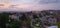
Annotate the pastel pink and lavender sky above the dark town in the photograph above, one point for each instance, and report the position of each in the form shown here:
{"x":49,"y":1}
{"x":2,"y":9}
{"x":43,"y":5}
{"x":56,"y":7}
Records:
{"x":28,"y":5}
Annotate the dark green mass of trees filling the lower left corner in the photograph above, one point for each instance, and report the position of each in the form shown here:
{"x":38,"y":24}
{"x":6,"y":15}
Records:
{"x":4,"y":19}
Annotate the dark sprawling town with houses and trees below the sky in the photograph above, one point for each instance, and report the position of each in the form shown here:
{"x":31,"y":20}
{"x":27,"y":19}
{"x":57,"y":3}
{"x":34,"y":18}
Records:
{"x":32,"y":19}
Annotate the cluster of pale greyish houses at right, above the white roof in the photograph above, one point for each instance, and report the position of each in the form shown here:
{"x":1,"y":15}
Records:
{"x":48,"y":20}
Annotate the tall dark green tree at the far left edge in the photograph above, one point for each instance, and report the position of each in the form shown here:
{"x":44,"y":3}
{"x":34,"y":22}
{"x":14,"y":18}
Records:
{"x":3,"y":20}
